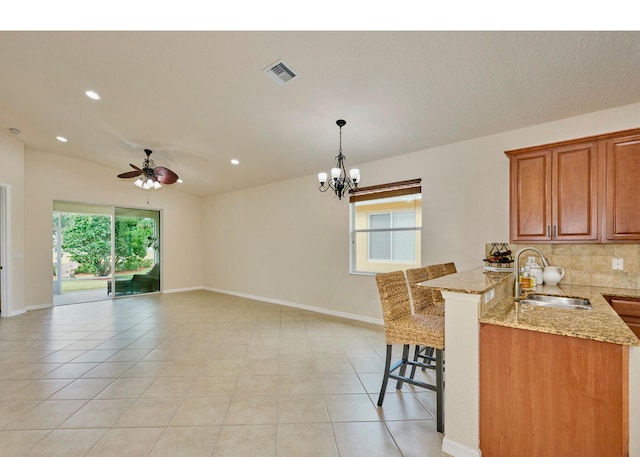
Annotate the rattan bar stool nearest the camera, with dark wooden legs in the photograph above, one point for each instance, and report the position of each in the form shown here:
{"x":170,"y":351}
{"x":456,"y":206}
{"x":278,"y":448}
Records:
{"x":401,"y":327}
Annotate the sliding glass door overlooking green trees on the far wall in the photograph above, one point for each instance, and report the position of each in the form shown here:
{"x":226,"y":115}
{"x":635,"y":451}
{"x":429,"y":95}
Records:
{"x":102,"y":252}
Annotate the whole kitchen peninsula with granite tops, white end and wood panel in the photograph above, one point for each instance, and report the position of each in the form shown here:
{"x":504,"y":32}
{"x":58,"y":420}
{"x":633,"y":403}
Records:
{"x":508,"y":363}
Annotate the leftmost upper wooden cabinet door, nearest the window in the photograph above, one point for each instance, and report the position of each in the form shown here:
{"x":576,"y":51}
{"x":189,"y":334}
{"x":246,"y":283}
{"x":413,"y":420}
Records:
{"x":530,"y":203}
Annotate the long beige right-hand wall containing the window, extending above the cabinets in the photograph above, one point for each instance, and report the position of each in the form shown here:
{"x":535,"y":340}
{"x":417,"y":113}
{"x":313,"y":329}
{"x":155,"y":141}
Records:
{"x":287,"y":242}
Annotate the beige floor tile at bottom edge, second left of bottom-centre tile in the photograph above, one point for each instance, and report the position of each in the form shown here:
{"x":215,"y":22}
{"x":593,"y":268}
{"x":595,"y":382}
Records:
{"x":186,"y":442}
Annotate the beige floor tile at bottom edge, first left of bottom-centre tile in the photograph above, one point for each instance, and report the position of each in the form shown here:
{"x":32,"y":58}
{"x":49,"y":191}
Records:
{"x":246,"y":441}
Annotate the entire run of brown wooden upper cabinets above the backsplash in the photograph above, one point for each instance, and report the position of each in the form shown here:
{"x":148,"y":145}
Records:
{"x":578,"y":191}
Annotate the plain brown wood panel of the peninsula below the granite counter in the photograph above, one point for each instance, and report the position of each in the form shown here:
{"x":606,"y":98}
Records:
{"x":551,"y":395}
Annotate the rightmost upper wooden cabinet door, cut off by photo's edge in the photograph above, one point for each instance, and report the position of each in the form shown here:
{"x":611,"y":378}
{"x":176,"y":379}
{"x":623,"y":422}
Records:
{"x":623,"y":188}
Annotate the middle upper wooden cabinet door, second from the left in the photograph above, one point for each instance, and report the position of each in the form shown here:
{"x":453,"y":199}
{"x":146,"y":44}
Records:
{"x":575,"y":192}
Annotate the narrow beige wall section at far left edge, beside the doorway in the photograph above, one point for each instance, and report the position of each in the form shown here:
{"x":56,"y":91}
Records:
{"x":12,"y":180}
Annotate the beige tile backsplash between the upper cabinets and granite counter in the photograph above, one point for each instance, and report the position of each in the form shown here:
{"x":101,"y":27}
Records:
{"x":590,"y":264}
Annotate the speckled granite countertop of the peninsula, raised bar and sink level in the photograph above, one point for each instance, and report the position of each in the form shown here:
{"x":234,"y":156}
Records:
{"x":601,"y":323}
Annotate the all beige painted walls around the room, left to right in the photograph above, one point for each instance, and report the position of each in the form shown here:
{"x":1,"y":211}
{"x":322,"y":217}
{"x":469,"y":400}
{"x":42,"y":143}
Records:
{"x":284,"y":242}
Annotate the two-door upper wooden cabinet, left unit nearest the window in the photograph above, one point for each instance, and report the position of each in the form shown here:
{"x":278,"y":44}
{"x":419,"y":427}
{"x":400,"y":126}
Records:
{"x":554,"y":194}
